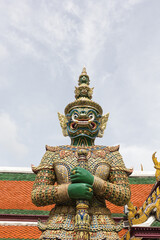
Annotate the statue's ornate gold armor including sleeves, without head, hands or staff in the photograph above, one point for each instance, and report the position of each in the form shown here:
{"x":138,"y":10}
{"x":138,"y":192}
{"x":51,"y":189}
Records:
{"x":110,"y":182}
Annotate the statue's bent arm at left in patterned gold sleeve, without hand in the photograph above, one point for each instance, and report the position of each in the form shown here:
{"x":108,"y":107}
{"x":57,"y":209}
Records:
{"x":44,"y":191}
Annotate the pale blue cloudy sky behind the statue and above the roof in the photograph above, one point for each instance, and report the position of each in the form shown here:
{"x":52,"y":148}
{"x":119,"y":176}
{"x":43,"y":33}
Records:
{"x":44,"y":45}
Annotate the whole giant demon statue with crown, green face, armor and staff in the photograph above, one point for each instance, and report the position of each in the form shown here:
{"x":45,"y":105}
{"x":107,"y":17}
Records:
{"x":78,"y":178}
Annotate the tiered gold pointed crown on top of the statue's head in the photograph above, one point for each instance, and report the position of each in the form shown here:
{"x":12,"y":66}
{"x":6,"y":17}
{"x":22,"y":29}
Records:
{"x":83,"y":95}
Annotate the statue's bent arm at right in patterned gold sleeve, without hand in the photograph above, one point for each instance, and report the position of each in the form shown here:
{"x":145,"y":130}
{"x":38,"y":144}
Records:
{"x":116,"y":189}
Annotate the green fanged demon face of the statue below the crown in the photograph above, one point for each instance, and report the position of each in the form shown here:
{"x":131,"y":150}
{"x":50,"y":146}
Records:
{"x":83,"y":122}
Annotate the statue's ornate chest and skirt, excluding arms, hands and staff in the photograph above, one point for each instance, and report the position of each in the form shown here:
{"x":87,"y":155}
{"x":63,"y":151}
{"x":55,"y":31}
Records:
{"x":63,"y":159}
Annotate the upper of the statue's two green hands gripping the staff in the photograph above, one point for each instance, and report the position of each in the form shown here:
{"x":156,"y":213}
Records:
{"x":81,"y":175}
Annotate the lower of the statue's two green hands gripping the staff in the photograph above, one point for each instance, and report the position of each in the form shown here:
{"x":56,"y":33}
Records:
{"x":81,"y":191}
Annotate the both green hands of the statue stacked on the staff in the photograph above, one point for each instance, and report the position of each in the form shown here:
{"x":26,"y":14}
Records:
{"x":81,"y":187}
